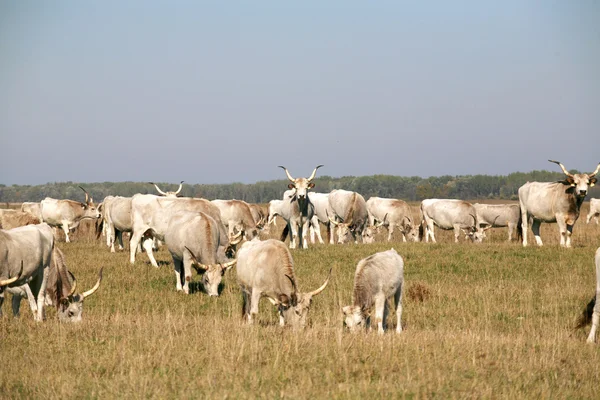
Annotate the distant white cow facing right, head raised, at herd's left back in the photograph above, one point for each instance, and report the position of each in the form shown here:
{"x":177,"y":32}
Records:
{"x":67,"y":214}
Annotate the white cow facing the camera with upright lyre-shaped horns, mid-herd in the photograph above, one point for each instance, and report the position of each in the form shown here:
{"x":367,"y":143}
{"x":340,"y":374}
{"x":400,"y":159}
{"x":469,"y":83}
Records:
{"x":301,"y":210}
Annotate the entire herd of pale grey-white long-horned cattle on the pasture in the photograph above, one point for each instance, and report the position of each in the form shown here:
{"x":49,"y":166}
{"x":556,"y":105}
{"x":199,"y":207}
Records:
{"x":204,"y":235}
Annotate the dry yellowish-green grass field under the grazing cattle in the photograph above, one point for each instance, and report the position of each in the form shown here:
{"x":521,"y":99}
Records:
{"x":492,"y":320}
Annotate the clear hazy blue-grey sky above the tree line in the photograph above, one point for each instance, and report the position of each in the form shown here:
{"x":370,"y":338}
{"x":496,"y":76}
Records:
{"x":221,"y":92}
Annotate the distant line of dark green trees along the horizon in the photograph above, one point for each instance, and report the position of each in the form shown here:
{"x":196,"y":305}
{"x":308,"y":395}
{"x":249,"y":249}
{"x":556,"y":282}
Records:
{"x":468,"y":187}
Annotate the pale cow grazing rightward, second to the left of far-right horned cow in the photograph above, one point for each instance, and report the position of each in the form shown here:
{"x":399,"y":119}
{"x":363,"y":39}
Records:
{"x":450,"y":214}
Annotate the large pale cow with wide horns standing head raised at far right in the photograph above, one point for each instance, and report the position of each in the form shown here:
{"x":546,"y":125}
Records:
{"x":558,"y":202}
